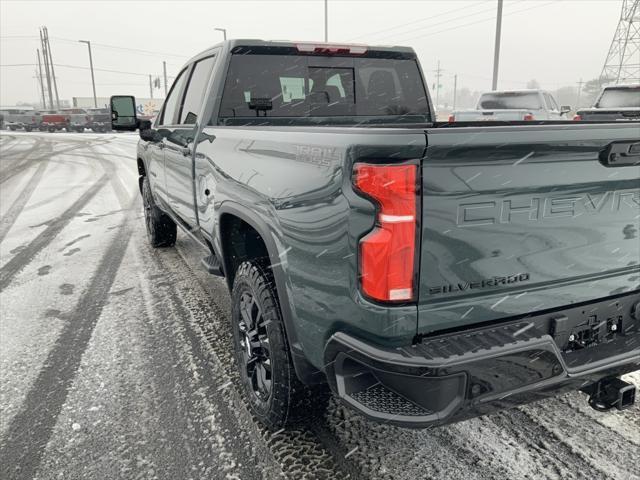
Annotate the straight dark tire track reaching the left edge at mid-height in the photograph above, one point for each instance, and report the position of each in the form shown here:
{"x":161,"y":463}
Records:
{"x":54,"y":227}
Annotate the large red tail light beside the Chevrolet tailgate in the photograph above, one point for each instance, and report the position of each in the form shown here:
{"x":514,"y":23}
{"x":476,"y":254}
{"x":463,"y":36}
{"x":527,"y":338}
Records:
{"x":387,"y":253}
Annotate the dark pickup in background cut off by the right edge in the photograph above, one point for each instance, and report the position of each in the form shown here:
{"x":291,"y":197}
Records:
{"x":615,"y":103}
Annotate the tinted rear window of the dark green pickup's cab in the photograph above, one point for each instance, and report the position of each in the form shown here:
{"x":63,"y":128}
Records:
{"x":304,"y":87}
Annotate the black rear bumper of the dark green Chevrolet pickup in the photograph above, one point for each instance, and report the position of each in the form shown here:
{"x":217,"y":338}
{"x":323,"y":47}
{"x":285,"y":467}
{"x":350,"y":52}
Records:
{"x":460,"y":375}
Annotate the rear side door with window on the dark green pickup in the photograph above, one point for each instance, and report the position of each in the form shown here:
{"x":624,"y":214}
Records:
{"x":179,"y":143}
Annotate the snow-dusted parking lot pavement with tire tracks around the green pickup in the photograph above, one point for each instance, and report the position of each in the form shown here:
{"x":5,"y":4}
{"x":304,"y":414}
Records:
{"x":116,"y":358}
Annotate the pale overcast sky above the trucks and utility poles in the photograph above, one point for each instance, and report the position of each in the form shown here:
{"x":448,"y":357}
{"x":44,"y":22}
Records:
{"x":556,"y":42}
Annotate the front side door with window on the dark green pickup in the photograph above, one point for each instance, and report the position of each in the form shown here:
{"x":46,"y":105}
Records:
{"x":155,"y":149}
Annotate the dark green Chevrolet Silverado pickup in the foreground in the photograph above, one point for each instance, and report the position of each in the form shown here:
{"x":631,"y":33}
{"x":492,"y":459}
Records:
{"x":427,"y":272}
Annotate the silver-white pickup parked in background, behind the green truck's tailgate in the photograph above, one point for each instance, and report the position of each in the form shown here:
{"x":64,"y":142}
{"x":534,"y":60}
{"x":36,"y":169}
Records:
{"x":517,"y":105}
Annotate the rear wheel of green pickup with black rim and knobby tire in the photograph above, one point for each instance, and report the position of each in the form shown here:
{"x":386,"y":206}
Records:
{"x":269,"y":382}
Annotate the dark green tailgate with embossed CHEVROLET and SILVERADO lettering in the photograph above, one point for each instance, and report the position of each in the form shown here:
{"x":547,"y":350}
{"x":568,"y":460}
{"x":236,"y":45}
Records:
{"x":518,"y":220}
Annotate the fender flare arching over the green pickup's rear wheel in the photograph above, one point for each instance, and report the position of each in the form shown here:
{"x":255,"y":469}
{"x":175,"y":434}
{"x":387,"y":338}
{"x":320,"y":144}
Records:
{"x":306,"y":372}
